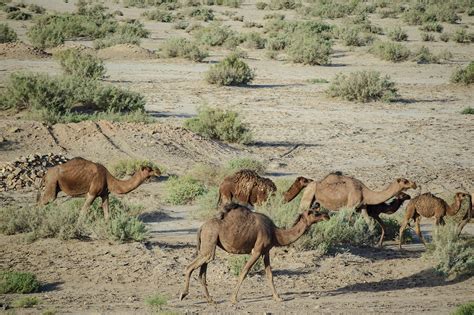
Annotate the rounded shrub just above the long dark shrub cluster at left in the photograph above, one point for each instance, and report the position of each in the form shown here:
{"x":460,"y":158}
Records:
{"x":80,"y":64}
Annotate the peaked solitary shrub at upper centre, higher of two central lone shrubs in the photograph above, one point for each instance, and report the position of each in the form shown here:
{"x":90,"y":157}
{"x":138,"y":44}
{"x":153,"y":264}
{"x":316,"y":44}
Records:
{"x":230,"y":71}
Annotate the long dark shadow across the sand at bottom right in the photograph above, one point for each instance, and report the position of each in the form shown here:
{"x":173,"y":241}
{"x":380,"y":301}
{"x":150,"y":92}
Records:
{"x":427,"y":278}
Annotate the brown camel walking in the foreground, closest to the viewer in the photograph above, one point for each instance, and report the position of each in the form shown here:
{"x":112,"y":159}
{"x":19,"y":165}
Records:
{"x":242,"y":231}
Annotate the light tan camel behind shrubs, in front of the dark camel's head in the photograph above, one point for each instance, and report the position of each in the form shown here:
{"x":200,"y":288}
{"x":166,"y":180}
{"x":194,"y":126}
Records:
{"x":336,"y":191}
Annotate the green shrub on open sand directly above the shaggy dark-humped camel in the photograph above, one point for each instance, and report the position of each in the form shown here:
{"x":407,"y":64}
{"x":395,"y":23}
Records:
{"x":219,"y":124}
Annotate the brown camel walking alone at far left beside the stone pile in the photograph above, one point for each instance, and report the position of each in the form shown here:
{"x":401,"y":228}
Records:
{"x":79,"y":177}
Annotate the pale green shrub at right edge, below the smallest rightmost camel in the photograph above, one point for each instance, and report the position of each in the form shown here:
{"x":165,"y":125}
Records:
{"x":452,"y":255}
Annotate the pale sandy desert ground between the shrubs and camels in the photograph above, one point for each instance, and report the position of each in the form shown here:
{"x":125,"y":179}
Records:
{"x":298,"y":131}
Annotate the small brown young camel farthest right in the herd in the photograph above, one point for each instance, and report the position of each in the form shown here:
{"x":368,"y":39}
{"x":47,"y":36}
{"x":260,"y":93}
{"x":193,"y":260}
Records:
{"x":427,"y":205}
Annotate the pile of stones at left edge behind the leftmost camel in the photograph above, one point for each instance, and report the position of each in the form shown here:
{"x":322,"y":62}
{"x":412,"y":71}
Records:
{"x":27,"y":171}
